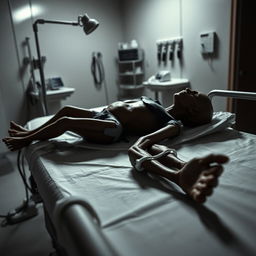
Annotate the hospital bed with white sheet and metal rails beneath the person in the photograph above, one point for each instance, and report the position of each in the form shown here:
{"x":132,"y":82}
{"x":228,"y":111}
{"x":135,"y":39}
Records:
{"x":96,"y":204}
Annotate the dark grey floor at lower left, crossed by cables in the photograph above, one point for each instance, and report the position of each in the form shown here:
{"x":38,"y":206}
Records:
{"x":26,"y":238}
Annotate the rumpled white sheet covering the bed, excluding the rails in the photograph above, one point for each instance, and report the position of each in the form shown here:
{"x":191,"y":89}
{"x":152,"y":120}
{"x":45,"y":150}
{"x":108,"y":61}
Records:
{"x":143,"y":215}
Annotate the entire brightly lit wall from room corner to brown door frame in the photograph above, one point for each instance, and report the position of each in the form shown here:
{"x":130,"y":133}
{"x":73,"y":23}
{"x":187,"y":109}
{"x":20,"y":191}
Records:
{"x":150,"y":20}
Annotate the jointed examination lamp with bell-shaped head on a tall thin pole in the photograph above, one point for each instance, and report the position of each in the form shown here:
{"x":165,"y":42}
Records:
{"x":88,"y":24}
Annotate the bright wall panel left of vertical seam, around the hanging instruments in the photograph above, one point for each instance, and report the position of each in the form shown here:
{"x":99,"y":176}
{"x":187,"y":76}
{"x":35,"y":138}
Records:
{"x":150,"y":20}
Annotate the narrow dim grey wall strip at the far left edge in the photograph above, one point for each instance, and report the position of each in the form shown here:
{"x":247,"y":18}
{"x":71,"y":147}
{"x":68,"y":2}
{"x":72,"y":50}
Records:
{"x":12,"y":101}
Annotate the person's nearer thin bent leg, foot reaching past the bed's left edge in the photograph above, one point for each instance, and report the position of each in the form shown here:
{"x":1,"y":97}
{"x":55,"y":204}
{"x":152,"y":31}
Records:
{"x":92,"y":129}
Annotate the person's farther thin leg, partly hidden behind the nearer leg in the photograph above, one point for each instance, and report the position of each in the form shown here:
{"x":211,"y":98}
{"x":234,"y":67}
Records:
{"x":67,"y":111}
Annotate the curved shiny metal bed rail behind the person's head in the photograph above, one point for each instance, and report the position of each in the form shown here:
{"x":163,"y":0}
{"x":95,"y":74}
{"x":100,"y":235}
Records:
{"x":232,"y":94}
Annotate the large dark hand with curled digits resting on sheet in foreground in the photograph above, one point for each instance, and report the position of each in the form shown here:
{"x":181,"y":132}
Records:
{"x":199,"y":176}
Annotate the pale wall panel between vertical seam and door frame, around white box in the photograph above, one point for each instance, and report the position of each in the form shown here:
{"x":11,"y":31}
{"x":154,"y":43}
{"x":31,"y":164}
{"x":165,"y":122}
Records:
{"x":202,"y":16}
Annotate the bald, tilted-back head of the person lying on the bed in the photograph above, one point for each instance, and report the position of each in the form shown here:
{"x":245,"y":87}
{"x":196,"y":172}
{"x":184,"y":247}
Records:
{"x":192,"y":108}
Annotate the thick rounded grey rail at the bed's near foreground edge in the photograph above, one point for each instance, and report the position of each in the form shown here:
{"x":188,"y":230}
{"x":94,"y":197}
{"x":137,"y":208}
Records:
{"x":79,"y":230}
